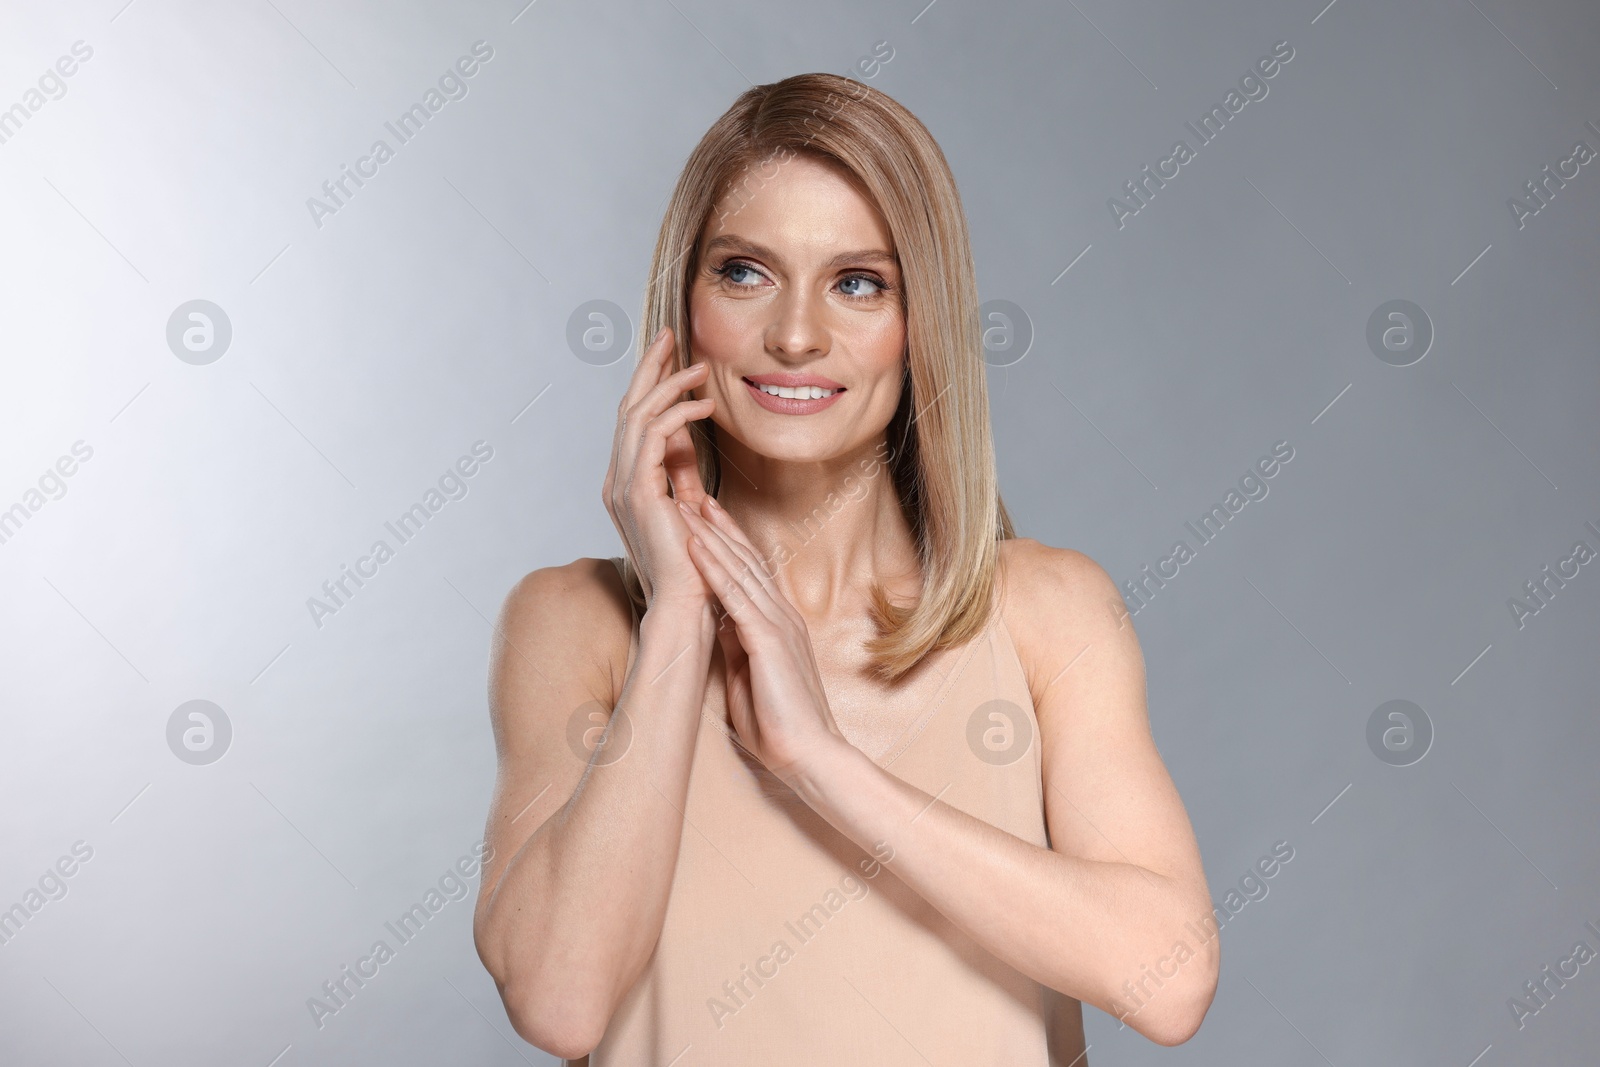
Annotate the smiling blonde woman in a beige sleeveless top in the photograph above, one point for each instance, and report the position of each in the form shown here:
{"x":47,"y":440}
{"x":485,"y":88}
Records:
{"x":879,"y":786}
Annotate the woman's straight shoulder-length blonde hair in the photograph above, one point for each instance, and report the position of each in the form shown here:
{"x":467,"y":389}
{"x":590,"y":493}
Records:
{"x":942,"y":452}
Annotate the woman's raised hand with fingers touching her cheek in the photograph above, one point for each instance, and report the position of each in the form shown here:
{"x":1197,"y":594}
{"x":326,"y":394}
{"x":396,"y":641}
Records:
{"x":652,"y":452}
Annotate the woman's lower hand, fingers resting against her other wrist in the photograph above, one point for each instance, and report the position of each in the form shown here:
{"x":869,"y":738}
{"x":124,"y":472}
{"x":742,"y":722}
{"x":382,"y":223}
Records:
{"x":775,"y":693}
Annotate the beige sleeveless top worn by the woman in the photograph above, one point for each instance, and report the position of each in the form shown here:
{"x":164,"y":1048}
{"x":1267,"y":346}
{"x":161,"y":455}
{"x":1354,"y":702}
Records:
{"x":785,"y":943}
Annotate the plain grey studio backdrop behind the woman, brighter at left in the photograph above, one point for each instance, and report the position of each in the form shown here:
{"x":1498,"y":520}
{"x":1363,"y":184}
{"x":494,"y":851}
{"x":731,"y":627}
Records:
{"x":372,"y":351}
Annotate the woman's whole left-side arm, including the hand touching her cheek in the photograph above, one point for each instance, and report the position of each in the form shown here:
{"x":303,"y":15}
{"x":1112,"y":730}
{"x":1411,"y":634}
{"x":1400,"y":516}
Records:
{"x":585,"y":847}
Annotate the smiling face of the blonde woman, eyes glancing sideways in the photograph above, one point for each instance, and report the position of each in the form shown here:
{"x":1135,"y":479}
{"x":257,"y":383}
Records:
{"x":799,"y":290}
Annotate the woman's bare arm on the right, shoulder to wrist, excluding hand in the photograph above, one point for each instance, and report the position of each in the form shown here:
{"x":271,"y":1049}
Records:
{"x":1105,"y":906}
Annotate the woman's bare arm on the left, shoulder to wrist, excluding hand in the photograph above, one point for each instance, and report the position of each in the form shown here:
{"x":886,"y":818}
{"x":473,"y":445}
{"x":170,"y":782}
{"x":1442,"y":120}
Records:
{"x":583,"y":852}
